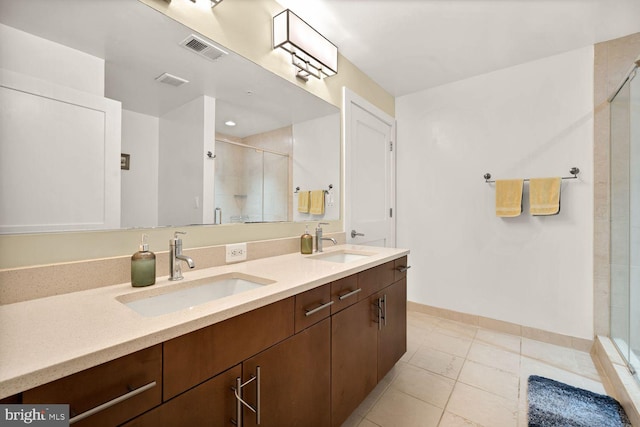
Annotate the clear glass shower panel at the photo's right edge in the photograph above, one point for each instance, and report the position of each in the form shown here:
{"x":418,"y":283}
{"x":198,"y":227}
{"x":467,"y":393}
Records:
{"x":625,"y":219}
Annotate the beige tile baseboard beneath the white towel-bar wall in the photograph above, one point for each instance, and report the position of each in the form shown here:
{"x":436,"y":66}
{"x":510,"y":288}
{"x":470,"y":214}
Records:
{"x":505,"y":327}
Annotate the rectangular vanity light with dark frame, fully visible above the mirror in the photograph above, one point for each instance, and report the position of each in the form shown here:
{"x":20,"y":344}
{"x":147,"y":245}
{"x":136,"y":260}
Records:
{"x":311,"y":53}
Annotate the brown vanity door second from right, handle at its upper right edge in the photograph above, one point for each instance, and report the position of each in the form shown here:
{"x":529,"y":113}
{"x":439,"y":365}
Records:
{"x":354,"y":336}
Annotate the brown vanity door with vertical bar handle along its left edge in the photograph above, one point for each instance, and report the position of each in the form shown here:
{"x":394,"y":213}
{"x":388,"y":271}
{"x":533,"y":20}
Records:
{"x":294,"y":381}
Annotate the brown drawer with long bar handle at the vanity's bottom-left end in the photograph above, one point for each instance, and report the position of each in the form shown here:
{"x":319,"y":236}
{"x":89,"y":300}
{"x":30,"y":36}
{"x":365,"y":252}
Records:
{"x":96,"y":386}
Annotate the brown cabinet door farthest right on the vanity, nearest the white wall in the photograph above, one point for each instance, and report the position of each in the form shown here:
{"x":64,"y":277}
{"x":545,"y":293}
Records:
{"x":392,"y":337}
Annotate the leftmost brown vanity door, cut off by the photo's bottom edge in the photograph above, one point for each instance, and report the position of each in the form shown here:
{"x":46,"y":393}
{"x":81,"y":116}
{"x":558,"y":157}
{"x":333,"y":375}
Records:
{"x":210,"y":404}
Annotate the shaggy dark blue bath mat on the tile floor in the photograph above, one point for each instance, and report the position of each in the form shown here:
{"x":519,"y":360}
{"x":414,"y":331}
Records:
{"x":555,"y":404}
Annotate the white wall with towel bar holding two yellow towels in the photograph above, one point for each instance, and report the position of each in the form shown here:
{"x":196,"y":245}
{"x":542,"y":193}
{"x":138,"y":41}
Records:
{"x":532,"y":120}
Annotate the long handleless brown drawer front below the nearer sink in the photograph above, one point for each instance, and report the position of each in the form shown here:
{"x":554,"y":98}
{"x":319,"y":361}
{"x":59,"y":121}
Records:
{"x":195,"y":357}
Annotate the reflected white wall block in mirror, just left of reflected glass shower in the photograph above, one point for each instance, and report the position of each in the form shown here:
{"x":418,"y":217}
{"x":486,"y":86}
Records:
{"x":186,"y":134}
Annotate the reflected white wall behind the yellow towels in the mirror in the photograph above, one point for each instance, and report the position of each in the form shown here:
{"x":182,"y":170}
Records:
{"x":315,"y":165}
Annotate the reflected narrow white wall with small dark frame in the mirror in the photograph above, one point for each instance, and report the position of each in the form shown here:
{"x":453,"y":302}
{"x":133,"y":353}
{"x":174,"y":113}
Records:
{"x":140,"y":139}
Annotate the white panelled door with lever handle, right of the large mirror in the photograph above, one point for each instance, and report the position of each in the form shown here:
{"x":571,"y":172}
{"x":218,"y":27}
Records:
{"x":370,"y":173}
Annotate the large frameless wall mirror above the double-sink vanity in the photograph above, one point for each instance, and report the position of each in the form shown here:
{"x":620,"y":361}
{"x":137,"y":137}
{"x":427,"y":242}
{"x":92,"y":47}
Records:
{"x":161,"y":154}
